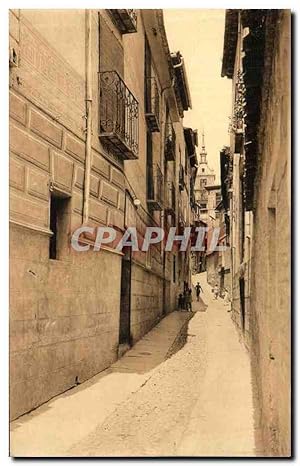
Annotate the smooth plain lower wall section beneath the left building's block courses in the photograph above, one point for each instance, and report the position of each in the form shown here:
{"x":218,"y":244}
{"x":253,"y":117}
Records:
{"x":63,"y":328}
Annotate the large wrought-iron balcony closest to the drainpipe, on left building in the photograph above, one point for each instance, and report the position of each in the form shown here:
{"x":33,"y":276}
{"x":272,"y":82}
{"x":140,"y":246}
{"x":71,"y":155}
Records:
{"x":119,"y":113}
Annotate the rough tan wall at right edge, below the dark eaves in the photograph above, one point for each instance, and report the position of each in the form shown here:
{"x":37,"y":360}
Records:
{"x":270,"y":324}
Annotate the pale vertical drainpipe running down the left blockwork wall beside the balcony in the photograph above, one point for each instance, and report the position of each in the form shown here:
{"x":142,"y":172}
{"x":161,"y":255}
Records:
{"x":88,"y":103}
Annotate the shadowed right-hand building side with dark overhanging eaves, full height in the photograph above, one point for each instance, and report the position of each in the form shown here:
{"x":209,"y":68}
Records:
{"x":257,"y":59}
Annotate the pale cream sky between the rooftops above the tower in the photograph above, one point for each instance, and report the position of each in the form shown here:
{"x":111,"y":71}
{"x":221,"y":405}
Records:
{"x":198,"y":35}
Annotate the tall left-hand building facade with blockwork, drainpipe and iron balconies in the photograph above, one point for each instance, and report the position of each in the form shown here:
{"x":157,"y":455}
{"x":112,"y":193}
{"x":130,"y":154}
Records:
{"x":96,"y":138}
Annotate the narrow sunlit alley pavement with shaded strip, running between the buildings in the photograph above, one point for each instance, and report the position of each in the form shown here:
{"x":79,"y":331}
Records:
{"x":186,"y":391}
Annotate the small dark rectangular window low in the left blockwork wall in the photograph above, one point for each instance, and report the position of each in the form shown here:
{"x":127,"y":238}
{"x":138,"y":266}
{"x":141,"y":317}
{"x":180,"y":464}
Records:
{"x":58,"y":225}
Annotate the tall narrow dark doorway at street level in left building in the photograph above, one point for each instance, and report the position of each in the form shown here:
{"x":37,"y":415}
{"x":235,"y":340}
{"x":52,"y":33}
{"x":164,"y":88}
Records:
{"x":124,"y":330}
